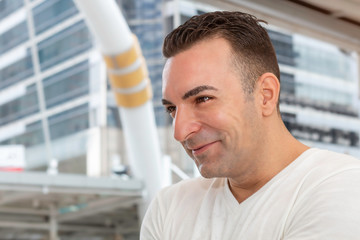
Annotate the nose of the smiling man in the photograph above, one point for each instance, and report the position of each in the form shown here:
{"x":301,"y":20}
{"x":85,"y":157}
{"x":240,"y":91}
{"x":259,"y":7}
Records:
{"x":185,"y":124}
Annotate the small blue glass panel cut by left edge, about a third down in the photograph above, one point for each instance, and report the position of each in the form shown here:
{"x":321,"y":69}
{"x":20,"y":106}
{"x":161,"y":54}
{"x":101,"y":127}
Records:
{"x":16,"y":72}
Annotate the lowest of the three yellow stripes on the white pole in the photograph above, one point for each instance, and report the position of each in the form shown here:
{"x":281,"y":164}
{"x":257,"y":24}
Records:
{"x":134,"y":99}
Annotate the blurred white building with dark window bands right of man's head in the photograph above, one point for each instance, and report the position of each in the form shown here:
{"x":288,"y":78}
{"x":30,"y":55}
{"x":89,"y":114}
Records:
{"x":319,"y":98}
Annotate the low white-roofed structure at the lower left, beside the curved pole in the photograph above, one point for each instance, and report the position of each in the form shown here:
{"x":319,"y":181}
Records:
{"x":34,"y":205}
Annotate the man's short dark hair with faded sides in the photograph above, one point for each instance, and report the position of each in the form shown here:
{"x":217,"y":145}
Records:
{"x":253,"y":51}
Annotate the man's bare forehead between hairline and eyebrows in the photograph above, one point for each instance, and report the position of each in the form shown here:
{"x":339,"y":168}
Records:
{"x":206,"y":63}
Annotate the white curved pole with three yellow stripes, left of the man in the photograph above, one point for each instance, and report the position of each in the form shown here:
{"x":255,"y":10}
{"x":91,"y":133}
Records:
{"x":131,"y":86}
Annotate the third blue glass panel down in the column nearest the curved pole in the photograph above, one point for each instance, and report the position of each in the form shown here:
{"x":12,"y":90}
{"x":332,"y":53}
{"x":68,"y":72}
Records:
{"x":67,"y":85}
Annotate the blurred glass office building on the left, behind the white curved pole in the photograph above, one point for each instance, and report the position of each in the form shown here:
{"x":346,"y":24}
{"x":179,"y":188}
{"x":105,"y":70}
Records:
{"x":54,"y":95}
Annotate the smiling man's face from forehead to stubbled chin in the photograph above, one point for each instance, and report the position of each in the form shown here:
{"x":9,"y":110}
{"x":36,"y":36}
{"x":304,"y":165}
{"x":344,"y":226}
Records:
{"x":215,"y":121}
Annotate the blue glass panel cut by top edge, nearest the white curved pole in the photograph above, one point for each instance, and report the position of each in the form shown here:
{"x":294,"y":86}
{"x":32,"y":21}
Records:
{"x":52,"y":12}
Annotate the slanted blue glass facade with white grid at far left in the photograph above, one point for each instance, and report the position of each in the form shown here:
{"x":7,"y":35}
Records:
{"x":38,"y":43}
